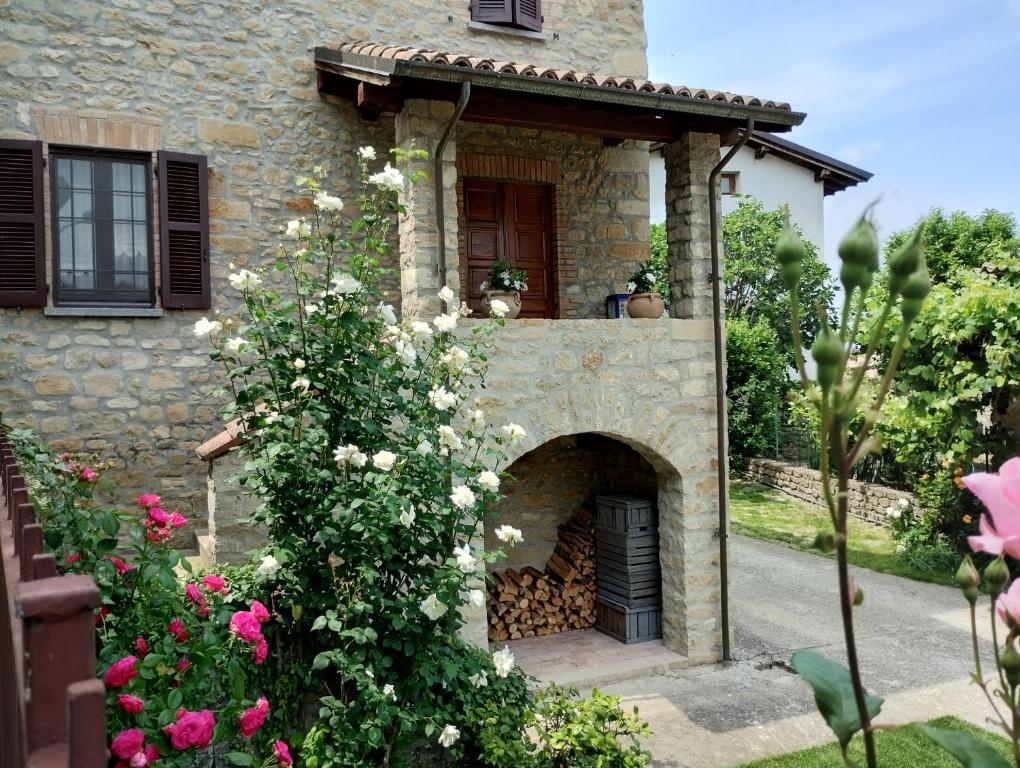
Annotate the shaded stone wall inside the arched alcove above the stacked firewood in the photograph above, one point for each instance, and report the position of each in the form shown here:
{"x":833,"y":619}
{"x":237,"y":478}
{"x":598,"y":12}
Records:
{"x":547,"y":486}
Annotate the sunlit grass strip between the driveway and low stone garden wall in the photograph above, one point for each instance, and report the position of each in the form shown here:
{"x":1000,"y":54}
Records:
{"x":762,"y":513}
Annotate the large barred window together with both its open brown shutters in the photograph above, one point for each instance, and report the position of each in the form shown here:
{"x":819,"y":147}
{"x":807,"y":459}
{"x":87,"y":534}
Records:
{"x":103,"y":246}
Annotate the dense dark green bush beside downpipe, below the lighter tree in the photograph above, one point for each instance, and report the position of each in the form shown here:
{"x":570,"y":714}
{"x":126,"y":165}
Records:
{"x":756,"y":383}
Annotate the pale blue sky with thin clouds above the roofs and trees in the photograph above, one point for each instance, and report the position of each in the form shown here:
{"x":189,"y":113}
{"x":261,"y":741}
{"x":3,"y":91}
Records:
{"x":924,"y":94}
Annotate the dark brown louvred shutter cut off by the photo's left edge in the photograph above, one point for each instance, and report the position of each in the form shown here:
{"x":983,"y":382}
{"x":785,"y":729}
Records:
{"x":23,"y":261}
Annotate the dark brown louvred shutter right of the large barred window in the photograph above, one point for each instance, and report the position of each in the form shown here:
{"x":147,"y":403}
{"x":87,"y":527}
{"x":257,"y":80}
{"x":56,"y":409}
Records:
{"x":184,"y":231}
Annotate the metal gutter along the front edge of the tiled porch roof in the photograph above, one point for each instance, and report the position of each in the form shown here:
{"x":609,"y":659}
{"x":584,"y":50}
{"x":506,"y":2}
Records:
{"x":359,"y":65}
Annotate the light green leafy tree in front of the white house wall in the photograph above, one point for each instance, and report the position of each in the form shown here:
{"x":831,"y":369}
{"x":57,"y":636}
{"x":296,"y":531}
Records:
{"x":755,"y":289}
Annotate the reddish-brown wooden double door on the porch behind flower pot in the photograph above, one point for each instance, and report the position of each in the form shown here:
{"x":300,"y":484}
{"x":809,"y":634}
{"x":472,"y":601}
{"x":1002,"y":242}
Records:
{"x":514,"y":222}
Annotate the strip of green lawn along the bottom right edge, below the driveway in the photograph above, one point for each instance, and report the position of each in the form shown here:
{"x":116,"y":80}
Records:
{"x":903,"y":748}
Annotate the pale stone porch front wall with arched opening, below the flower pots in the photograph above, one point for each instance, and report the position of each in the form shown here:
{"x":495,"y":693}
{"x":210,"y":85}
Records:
{"x":648,"y":385}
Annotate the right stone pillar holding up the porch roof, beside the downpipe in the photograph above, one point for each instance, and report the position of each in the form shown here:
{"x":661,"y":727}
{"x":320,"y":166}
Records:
{"x":689,"y":162}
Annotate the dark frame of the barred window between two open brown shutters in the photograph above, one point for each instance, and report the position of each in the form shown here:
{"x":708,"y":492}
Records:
{"x":86,"y":153}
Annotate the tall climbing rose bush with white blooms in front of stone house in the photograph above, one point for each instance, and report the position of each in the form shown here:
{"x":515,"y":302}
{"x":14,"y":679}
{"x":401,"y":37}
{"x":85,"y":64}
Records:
{"x":375,"y":470}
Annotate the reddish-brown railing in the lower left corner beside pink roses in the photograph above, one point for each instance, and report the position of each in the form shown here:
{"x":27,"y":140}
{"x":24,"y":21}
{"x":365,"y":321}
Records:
{"x":53,"y":707}
